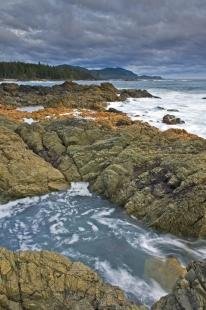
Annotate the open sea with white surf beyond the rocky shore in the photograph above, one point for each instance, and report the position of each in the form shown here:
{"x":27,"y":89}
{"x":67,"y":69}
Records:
{"x":184,"y":96}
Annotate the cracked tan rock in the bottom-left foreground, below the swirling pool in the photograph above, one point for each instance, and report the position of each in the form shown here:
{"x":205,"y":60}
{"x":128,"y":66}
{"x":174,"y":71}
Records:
{"x":45,"y":280}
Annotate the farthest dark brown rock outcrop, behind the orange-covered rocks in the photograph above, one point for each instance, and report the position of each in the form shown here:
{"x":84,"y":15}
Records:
{"x":68,"y":94}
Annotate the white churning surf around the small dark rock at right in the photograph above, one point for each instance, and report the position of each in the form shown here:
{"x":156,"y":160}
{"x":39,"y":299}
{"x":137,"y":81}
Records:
{"x":191,"y":109}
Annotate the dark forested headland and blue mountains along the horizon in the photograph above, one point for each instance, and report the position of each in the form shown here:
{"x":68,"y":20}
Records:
{"x":29,"y":71}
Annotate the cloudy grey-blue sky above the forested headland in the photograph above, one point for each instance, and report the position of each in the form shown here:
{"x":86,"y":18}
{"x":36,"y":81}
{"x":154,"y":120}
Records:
{"x":161,"y":37}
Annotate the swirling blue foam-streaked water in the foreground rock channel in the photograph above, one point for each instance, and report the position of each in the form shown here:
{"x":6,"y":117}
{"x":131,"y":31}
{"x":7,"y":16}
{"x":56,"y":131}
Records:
{"x":87,"y":228}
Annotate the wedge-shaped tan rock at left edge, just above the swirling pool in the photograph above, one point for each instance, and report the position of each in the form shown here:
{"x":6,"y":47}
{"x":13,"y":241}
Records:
{"x":23,"y":173}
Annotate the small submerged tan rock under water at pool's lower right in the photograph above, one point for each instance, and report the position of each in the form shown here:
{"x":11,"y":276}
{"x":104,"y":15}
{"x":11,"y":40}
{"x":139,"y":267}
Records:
{"x":165,"y":272}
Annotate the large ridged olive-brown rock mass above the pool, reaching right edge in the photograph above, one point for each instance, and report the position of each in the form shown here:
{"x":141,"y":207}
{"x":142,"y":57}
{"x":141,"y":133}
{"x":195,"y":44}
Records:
{"x":159,"y":177}
